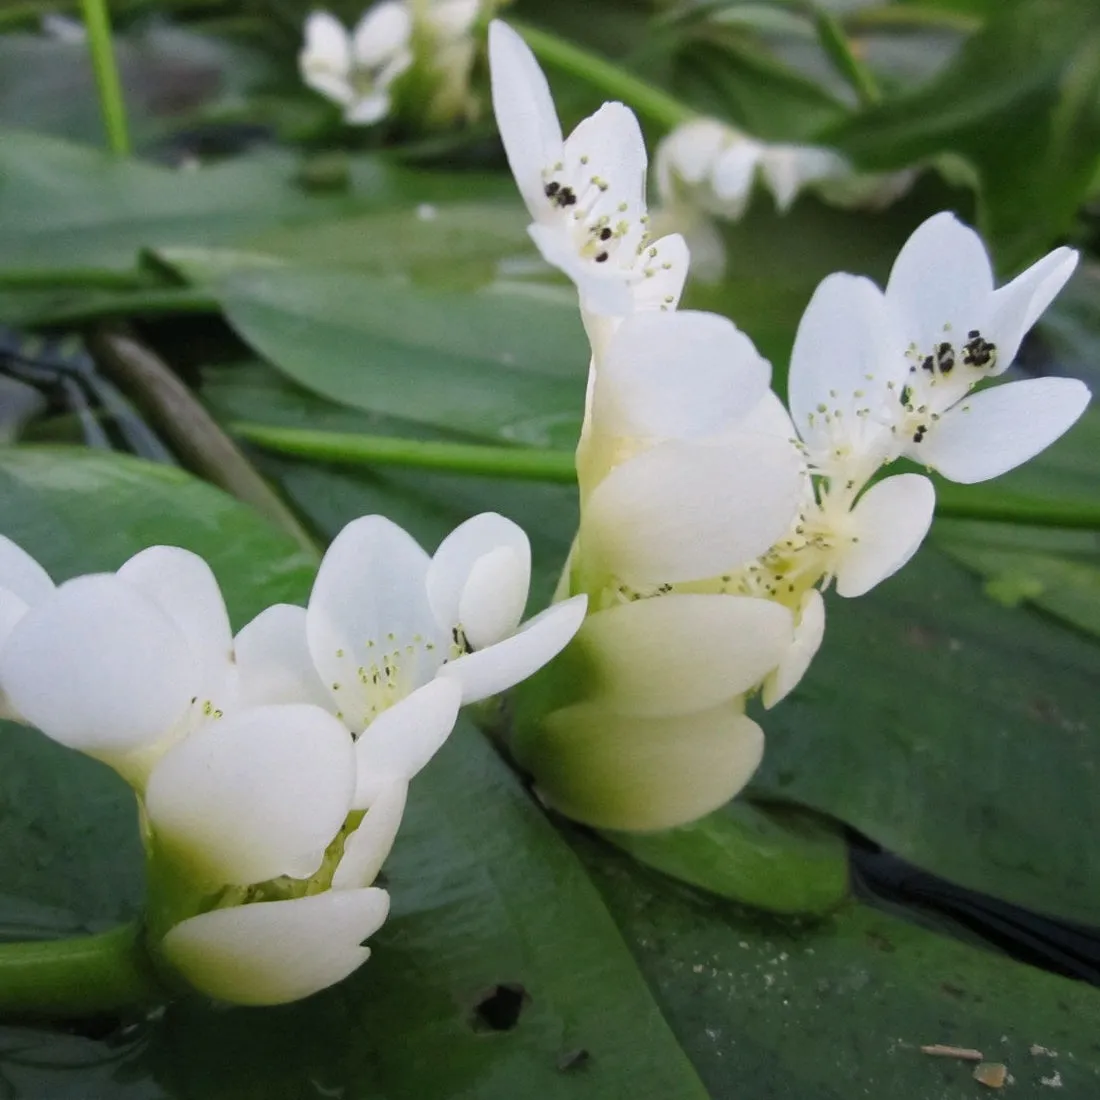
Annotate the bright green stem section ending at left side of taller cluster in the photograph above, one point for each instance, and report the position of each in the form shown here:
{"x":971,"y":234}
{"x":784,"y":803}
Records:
{"x":520,"y":463}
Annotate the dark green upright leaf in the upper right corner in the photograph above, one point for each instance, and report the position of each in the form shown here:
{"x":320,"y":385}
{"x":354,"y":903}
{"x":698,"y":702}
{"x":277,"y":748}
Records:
{"x":1021,"y":104}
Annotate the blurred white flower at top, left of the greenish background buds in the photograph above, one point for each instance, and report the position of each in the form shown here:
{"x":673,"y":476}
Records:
{"x":357,"y":70}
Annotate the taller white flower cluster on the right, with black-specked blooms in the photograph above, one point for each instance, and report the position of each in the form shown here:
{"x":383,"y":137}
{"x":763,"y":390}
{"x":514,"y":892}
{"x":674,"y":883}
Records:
{"x":712,"y":518}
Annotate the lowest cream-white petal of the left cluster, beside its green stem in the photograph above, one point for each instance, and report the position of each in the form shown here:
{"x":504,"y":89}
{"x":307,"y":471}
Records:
{"x":276,"y":952}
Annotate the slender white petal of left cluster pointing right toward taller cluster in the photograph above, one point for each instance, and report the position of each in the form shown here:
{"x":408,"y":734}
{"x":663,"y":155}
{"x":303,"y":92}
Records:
{"x":500,"y":667}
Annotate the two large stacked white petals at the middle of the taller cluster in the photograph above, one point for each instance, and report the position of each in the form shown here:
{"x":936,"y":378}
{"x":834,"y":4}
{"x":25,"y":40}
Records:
{"x":672,"y":490}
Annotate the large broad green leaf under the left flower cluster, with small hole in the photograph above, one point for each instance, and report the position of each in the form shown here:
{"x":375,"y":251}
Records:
{"x":487,"y":896}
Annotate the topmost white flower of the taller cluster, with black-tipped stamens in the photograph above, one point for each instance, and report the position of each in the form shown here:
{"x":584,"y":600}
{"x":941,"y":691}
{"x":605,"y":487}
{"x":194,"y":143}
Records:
{"x":586,"y":194}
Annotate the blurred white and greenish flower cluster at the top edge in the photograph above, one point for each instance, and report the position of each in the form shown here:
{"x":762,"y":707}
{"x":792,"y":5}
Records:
{"x":358,"y":71}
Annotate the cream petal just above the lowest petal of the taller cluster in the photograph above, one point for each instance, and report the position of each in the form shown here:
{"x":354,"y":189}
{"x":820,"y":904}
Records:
{"x":681,"y":654}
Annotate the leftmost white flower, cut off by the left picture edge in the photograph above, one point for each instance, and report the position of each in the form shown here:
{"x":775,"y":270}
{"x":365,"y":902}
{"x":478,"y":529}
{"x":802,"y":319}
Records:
{"x":122,"y":665}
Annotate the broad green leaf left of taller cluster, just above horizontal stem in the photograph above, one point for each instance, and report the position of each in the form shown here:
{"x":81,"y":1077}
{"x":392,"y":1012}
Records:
{"x":504,"y":366}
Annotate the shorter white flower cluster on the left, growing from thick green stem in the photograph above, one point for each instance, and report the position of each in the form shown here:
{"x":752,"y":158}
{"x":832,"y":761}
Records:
{"x":272,"y":768}
